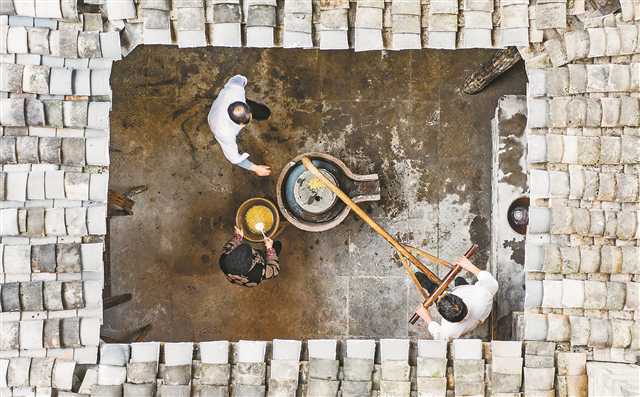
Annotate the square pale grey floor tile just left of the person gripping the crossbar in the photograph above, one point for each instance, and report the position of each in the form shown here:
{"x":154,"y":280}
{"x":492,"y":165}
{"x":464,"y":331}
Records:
{"x":390,"y":319}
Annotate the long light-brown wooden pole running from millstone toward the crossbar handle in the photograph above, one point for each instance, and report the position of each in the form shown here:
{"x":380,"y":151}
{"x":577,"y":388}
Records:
{"x":365,"y":217}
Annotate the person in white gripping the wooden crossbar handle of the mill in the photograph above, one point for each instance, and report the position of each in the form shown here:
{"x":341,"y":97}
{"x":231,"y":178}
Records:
{"x":462,"y":308}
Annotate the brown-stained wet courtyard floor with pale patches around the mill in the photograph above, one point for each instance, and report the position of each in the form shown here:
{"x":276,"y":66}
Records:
{"x":399,"y":114}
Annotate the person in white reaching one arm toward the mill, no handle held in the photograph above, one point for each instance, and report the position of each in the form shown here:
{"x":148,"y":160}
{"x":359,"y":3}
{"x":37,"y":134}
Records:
{"x":229,"y":114}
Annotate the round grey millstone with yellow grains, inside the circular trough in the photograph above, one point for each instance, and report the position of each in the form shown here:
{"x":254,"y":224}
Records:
{"x":311,"y":194}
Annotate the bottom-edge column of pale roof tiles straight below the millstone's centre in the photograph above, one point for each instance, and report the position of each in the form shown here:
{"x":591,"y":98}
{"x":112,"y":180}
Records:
{"x":323,"y":368}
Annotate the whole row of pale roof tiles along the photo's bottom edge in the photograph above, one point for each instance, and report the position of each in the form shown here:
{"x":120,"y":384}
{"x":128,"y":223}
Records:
{"x":314,"y":368}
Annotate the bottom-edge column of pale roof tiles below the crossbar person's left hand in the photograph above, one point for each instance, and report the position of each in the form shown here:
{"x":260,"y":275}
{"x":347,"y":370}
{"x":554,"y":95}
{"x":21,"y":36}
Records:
{"x":431,"y":368}
